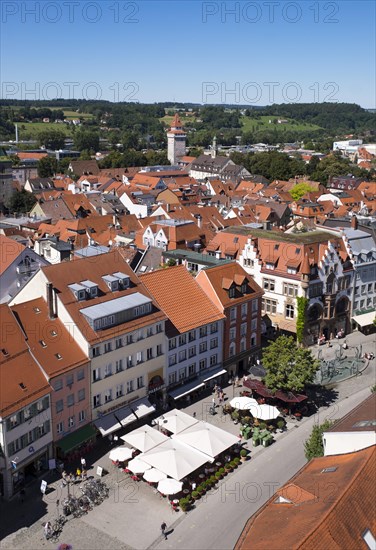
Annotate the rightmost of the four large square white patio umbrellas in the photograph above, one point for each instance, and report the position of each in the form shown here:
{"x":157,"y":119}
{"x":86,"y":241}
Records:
{"x":207,"y":438}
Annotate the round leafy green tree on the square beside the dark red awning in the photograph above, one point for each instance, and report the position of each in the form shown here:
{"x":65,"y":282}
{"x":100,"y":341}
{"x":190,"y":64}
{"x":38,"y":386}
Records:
{"x":288,"y":366}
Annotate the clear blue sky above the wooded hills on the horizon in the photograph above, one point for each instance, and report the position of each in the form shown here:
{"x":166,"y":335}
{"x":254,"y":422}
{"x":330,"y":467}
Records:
{"x":240,"y":52}
